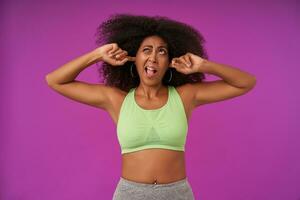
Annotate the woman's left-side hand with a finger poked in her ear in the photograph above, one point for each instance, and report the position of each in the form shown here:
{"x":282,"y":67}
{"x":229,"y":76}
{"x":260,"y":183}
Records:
{"x":113,"y":54}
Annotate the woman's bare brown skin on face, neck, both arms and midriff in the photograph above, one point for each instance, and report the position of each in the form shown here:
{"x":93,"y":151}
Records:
{"x":150,"y":165}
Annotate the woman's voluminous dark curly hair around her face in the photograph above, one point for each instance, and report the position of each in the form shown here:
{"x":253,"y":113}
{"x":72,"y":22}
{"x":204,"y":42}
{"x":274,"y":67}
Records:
{"x":129,"y":31}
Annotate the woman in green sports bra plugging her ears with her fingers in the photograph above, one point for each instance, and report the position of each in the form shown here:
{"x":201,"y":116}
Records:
{"x":153,"y":67}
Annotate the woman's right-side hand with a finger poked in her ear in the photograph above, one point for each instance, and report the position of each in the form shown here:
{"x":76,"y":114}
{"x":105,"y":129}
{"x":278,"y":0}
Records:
{"x":181,"y":64}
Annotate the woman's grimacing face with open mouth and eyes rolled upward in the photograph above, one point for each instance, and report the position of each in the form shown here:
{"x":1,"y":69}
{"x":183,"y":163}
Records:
{"x":152,"y":59}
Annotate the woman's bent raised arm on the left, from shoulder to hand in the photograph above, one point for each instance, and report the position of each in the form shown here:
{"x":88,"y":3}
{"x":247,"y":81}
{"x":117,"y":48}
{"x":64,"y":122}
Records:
{"x":62,"y":79}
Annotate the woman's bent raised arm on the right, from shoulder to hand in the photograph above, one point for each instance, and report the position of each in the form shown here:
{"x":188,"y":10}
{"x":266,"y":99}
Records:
{"x":235,"y":82}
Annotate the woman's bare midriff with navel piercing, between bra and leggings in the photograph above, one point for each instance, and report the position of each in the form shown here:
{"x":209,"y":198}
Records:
{"x":154,"y":166}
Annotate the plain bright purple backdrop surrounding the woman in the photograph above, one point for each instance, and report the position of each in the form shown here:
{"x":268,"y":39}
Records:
{"x":245,"y":148}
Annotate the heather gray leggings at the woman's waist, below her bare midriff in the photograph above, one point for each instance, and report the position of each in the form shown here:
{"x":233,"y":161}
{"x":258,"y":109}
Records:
{"x":130,"y":190}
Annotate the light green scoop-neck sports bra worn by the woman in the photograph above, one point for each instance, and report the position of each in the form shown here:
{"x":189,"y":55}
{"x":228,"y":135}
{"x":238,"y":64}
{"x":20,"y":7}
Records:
{"x":165,"y":127}
